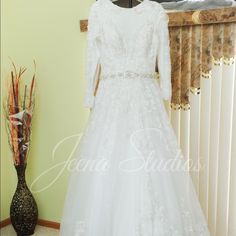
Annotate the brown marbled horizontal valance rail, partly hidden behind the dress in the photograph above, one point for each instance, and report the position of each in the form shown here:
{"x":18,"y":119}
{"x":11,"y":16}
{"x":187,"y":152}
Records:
{"x":181,"y":18}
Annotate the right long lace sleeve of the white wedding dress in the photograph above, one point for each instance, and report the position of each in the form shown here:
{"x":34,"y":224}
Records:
{"x":163,"y":55}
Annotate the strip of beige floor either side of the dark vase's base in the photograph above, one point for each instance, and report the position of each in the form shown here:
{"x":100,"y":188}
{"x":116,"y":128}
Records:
{"x":39,"y":231}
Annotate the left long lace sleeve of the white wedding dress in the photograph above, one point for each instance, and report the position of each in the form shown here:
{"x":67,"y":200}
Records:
{"x":93,"y":55}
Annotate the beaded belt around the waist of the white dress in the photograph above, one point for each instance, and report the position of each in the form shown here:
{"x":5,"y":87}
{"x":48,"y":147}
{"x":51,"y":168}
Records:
{"x":128,"y":75}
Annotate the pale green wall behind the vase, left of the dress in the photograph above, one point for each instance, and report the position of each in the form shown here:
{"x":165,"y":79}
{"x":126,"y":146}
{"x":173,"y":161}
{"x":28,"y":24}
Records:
{"x":47,"y":31}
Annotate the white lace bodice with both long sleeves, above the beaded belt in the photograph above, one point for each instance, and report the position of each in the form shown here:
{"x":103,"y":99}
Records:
{"x":127,"y":39}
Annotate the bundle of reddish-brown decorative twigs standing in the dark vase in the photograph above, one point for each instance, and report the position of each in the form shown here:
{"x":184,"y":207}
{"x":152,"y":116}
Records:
{"x":19,"y":115}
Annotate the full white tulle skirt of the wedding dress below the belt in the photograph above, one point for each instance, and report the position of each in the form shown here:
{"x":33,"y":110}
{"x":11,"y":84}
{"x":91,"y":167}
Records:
{"x":127,"y":133}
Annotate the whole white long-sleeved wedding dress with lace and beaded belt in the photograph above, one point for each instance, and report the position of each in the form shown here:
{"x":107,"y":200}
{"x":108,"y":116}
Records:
{"x":120,"y":186}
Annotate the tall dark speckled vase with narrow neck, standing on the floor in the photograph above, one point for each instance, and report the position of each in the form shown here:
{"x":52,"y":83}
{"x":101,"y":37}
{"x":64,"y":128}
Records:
{"x":23,"y":209}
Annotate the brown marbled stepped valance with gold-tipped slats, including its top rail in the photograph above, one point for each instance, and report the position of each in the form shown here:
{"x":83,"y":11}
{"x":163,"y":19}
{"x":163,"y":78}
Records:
{"x":195,"y":47}
